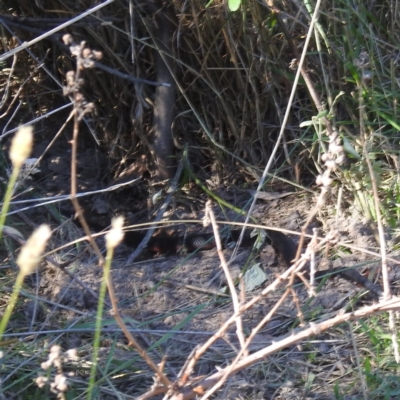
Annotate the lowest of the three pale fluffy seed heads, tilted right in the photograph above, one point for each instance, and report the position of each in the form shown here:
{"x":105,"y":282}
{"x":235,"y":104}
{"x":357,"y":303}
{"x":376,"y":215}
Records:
{"x":32,"y":250}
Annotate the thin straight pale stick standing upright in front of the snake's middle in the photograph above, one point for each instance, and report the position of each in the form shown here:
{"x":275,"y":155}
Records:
{"x":235,"y":301}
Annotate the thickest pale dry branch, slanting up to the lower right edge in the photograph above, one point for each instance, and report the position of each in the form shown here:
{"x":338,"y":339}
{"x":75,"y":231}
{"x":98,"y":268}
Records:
{"x":191,"y":391}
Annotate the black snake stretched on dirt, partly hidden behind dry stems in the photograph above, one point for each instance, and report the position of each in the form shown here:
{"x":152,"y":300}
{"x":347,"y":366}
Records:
{"x":282,"y":243}
